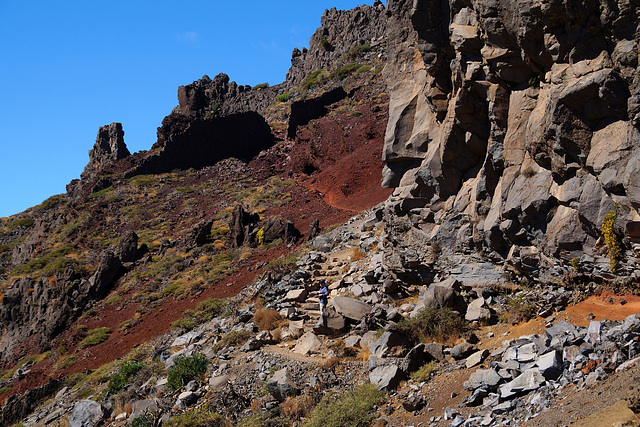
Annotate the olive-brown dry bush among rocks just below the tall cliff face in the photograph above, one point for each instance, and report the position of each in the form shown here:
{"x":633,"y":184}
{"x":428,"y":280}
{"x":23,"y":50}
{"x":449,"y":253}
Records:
{"x":431,"y":323}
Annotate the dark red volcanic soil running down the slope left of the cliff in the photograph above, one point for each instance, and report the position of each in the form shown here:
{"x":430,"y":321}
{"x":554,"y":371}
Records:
{"x":336,"y":162}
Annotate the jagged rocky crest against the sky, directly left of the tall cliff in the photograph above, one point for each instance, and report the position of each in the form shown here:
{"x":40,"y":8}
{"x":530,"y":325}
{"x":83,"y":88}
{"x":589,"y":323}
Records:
{"x":339,"y":32}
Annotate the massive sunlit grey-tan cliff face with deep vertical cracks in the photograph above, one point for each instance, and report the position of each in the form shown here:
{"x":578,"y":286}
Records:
{"x":520,"y":122}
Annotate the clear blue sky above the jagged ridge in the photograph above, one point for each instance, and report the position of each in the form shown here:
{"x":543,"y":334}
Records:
{"x":70,"y":67}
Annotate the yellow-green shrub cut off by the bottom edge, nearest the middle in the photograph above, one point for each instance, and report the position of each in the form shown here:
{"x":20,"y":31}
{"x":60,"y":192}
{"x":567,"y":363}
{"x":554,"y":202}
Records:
{"x":351,"y":409}
